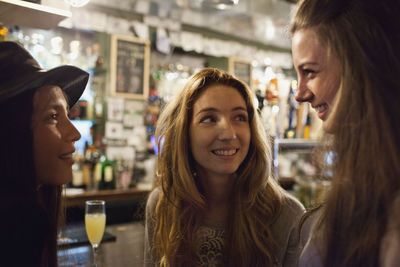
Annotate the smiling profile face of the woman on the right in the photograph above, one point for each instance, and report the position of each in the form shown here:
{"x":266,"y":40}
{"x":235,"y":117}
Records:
{"x":318,"y":71}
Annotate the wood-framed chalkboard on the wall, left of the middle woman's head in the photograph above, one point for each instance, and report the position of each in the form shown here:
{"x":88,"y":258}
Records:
{"x":129,"y":67}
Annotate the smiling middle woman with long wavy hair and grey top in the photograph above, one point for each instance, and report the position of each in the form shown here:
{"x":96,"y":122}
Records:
{"x":215,"y":202}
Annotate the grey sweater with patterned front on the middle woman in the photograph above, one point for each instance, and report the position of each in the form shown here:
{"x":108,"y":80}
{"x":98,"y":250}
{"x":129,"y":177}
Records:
{"x":210,"y":236}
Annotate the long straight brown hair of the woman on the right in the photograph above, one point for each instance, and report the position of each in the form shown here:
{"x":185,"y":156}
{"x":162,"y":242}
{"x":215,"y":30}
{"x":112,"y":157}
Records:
{"x":365,"y":36}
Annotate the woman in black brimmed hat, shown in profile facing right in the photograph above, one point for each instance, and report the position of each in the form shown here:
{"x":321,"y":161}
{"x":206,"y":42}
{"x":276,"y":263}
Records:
{"x":37,"y":142}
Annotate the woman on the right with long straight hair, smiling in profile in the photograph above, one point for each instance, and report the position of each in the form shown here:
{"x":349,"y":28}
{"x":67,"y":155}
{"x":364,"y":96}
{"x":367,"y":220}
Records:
{"x":346,"y":53}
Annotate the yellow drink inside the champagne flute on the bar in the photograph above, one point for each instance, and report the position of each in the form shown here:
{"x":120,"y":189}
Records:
{"x":95,"y":224}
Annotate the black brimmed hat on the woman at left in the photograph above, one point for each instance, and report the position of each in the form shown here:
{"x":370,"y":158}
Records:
{"x":20,"y":72}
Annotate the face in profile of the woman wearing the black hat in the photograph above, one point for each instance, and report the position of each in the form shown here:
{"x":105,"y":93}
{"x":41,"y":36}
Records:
{"x":53,"y":137}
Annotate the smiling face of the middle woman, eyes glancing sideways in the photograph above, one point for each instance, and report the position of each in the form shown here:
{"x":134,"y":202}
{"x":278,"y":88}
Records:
{"x":219,"y":131}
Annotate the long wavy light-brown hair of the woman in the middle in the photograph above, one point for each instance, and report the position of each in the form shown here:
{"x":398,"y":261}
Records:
{"x":257,"y":198}
